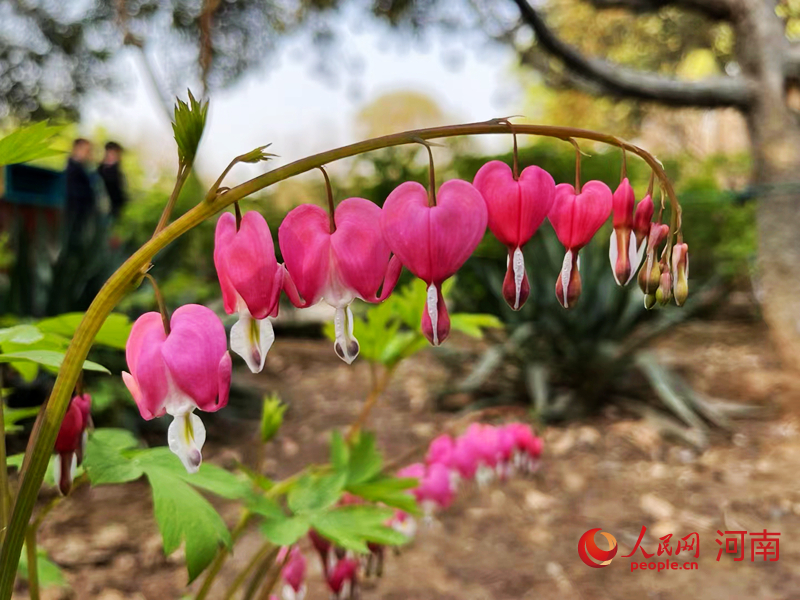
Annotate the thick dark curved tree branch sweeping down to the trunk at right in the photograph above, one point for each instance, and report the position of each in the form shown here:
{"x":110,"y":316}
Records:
{"x":632,"y":83}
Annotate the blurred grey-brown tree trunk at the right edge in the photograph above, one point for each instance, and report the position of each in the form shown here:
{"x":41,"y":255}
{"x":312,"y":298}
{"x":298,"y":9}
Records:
{"x":775,"y":136}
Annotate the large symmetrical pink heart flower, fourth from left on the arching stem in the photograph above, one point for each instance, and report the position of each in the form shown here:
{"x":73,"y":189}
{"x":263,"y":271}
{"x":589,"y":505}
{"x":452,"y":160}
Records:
{"x":434,"y":241}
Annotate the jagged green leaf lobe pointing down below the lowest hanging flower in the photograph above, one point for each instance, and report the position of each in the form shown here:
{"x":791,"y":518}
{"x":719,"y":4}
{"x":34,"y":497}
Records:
{"x":183,"y":515}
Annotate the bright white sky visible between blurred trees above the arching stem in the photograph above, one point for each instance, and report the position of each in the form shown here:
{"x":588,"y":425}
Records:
{"x":288,"y":104}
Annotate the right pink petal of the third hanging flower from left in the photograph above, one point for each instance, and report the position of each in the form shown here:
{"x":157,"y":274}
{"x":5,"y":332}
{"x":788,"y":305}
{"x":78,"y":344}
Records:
{"x":361,"y":254}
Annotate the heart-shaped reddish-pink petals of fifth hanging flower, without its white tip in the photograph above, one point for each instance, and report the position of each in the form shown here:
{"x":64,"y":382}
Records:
{"x":516,"y":208}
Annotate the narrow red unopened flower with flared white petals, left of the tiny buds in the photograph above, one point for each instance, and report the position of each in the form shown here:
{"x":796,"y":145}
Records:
{"x":624,"y":251}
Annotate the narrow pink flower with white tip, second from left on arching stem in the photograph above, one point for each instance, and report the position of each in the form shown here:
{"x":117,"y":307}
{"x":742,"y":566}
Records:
{"x":251,"y":282}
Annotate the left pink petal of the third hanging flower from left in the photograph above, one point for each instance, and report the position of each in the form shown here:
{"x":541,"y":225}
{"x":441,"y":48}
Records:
{"x":304,"y":238}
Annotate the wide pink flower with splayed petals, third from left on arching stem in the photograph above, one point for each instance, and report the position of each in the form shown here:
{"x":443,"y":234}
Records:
{"x":337,"y":266}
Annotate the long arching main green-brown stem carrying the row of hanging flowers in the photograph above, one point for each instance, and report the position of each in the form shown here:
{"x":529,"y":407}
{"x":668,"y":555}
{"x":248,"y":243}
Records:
{"x":126,"y":277}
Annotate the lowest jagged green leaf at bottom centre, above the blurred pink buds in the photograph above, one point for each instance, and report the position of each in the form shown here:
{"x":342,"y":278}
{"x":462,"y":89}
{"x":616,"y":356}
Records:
{"x":354,"y":525}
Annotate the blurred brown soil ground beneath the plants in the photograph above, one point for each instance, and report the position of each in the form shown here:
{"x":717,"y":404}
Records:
{"x":514,"y":540}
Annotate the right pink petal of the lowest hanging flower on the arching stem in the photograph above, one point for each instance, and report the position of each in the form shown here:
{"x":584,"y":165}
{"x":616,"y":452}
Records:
{"x":193,"y":351}
